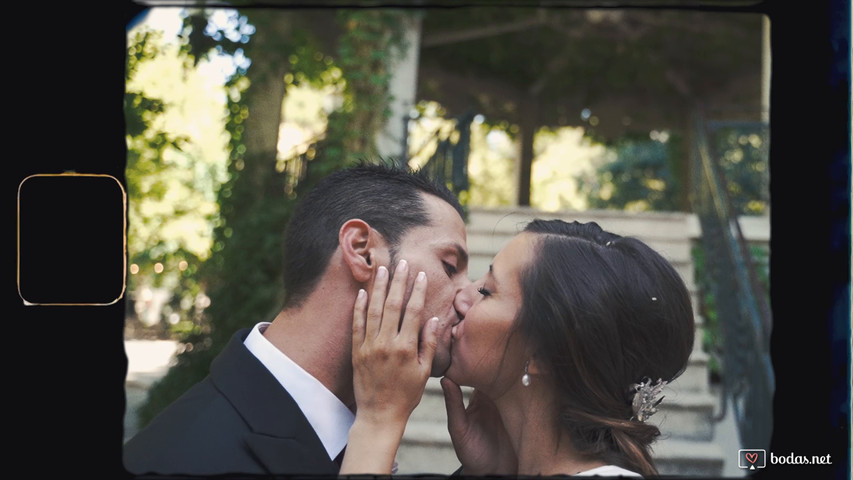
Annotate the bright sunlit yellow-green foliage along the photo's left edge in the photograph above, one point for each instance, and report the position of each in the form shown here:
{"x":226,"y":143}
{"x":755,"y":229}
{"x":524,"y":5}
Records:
{"x":170,"y":188}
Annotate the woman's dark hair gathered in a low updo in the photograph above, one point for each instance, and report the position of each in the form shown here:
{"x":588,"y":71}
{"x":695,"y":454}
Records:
{"x":604,"y":312}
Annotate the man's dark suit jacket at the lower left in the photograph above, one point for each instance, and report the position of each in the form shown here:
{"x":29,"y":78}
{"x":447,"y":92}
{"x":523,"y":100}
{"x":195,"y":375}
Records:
{"x":238,"y":420}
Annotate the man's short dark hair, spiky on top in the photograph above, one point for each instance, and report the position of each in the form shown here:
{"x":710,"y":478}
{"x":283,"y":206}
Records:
{"x":387,"y":197}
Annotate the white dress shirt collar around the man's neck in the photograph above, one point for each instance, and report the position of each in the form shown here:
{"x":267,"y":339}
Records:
{"x":329,"y":417}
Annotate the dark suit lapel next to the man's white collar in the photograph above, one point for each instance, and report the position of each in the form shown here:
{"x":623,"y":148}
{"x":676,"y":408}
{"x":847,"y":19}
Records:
{"x":281,"y":439}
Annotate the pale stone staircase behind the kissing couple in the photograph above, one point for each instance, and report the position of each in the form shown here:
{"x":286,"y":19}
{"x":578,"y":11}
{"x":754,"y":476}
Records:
{"x":686,"y":446}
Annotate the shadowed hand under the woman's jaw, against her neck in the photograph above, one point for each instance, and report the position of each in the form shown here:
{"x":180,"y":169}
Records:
{"x":481,"y":442}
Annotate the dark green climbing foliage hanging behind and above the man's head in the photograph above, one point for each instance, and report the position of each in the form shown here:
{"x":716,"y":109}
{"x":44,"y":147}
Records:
{"x":243,"y":275}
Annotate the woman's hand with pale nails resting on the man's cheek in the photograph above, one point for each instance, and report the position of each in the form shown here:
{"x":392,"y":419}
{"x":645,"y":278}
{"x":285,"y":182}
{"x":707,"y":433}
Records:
{"x":390,"y":368}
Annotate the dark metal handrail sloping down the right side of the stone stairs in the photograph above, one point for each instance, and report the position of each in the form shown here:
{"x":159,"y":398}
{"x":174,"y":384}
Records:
{"x":741,"y":300}
